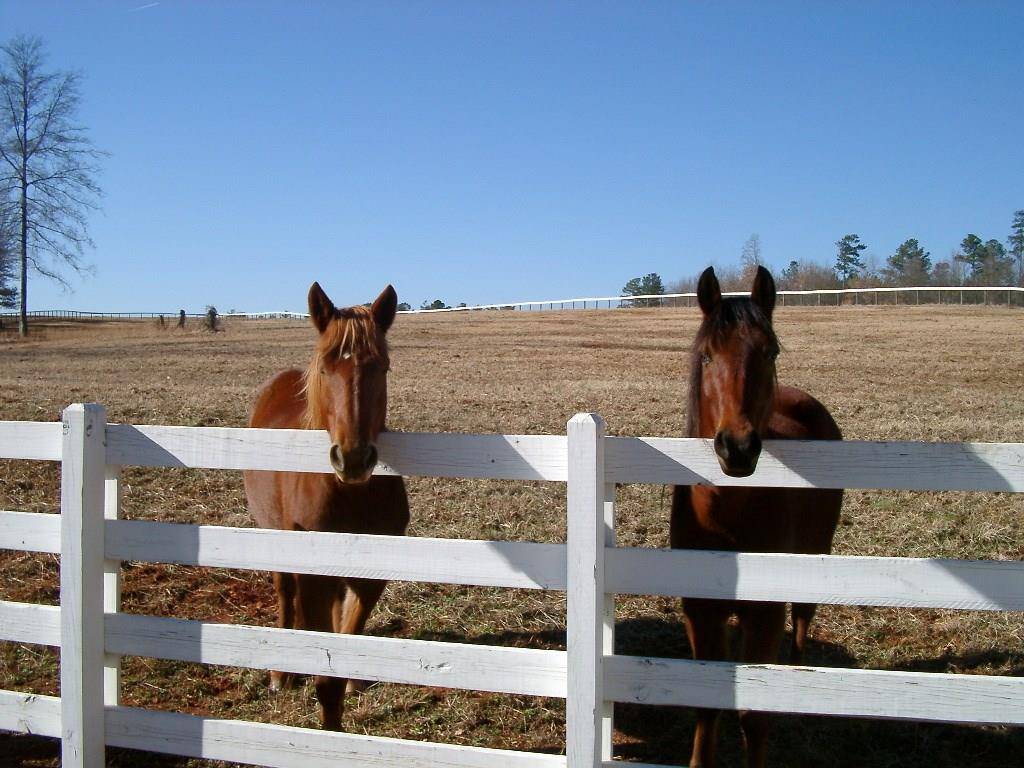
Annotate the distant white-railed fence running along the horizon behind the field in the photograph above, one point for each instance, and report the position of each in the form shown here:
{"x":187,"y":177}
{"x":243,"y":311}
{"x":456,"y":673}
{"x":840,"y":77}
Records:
{"x":1010,"y":296}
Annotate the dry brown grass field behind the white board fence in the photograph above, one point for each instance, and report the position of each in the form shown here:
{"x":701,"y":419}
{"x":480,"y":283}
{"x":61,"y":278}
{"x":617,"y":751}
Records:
{"x":909,"y":373}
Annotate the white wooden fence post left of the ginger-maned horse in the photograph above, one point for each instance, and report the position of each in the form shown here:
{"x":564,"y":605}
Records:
{"x":82,"y":481}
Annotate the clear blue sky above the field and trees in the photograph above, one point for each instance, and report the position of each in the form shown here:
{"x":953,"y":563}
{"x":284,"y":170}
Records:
{"x":488,"y":152}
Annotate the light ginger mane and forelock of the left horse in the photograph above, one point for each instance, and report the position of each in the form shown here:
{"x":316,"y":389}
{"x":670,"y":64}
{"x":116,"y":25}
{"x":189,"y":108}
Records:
{"x":353,"y":331}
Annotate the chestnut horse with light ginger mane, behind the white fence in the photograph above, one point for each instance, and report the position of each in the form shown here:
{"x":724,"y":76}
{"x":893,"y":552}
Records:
{"x":345,"y":392}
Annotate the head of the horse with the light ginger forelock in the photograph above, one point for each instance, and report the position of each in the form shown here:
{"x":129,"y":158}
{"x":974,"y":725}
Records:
{"x":347,"y":390}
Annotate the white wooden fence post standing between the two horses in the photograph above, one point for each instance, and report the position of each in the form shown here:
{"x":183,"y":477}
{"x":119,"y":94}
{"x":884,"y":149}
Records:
{"x":588,"y":716}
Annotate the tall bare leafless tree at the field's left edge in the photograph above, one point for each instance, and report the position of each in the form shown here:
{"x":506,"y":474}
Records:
{"x":48,"y":165}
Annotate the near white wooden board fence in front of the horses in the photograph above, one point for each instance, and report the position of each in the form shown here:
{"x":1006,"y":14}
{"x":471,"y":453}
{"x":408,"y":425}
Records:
{"x":93,"y":634}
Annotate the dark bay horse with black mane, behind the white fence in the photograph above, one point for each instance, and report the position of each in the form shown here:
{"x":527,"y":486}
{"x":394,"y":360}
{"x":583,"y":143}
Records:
{"x":735,"y":399}
